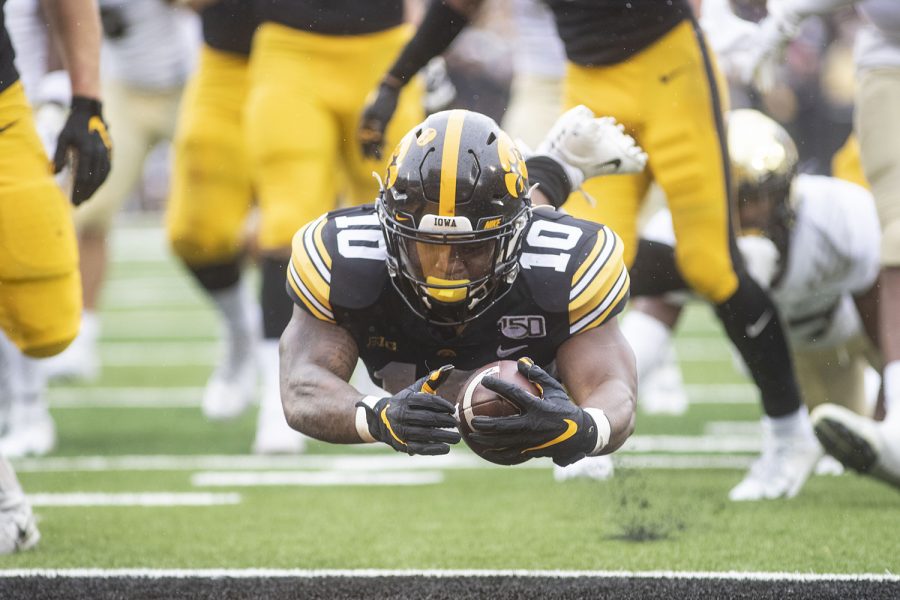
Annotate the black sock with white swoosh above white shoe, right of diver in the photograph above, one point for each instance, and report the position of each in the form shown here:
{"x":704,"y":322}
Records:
{"x":752,"y":323}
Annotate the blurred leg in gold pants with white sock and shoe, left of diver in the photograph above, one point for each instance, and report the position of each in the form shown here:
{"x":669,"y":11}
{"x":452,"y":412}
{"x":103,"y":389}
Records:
{"x":209,"y":203}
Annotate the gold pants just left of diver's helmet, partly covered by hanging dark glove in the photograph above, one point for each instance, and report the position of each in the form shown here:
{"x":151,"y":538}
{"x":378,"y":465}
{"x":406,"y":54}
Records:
{"x":306,"y":96}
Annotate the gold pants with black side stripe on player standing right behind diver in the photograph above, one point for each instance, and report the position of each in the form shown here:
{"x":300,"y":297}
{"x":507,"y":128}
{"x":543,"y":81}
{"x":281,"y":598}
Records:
{"x":668,"y":98}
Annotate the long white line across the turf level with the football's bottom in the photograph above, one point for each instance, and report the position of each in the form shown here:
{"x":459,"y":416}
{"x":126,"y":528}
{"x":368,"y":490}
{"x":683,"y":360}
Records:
{"x":385,"y":462}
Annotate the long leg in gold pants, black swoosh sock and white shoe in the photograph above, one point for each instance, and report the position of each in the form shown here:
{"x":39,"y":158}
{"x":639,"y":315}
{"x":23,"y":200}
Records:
{"x":679,"y":123}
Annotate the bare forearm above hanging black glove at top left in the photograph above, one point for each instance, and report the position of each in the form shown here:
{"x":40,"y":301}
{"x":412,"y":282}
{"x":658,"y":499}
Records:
{"x":76,"y":28}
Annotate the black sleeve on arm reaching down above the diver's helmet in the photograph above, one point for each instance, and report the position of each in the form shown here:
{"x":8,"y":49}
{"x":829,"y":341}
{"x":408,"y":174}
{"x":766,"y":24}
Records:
{"x":438,"y":29}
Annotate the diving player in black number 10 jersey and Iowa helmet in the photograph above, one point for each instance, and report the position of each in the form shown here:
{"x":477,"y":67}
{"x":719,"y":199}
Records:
{"x":439,"y":271}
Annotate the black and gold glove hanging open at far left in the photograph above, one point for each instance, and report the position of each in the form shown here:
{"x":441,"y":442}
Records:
{"x":86,"y":137}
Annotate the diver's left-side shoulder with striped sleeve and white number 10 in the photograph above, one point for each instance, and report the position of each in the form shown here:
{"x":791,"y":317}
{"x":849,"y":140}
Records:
{"x":338,"y":262}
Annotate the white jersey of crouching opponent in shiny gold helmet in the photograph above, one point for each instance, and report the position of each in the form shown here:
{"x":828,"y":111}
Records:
{"x":833,"y":254}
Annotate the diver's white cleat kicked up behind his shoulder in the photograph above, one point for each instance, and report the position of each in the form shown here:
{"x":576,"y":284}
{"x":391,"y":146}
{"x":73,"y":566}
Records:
{"x":587,"y":147}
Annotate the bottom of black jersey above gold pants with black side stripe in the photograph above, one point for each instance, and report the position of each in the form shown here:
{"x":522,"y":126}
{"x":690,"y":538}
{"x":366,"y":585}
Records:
{"x":605,"y":32}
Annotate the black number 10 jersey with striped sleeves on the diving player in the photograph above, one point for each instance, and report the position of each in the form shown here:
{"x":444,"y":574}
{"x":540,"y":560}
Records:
{"x":572,"y":279}
